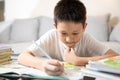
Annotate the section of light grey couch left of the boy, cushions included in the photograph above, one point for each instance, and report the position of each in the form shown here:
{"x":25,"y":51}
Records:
{"x":20,"y":33}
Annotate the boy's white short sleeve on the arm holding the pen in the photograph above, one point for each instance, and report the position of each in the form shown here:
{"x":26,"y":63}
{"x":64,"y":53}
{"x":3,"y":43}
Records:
{"x":44,"y":42}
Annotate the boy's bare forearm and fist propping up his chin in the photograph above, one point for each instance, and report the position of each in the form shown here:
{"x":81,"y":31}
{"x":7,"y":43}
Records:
{"x":71,"y":57}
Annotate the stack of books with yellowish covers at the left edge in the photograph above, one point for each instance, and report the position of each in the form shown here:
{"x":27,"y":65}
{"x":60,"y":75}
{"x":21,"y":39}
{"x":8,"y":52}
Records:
{"x":5,"y":54}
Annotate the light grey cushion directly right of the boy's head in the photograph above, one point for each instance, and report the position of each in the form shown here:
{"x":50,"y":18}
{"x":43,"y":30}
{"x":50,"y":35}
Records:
{"x":98,"y":26}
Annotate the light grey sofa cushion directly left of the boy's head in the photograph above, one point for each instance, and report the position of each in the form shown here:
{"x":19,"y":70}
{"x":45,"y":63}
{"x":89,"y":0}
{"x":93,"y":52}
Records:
{"x":46,"y":23}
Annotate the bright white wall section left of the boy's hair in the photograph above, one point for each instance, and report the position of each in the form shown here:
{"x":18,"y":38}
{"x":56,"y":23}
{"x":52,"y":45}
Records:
{"x":28,"y":8}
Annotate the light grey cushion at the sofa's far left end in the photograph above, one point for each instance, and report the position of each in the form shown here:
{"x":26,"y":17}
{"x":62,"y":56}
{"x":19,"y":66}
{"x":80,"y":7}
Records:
{"x":5,"y":31}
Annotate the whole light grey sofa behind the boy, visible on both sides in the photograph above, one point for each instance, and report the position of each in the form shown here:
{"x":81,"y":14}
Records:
{"x":19,"y":33}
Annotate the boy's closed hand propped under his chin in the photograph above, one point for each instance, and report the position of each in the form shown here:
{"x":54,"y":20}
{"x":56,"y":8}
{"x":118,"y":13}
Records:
{"x":70,"y":56}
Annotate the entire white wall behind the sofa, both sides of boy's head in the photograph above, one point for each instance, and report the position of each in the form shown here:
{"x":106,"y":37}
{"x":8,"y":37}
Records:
{"x":33,"y":8}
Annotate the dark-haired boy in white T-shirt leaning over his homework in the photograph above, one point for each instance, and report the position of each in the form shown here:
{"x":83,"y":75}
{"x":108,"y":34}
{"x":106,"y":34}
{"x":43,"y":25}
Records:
{"x":68,"y":42}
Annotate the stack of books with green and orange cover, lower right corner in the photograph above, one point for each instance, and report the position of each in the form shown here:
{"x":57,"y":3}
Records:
{"x":106,"y":69}
